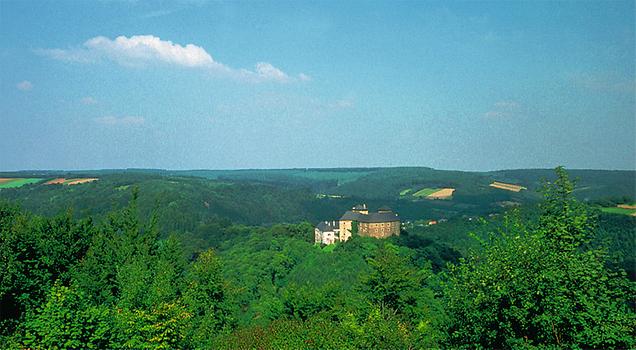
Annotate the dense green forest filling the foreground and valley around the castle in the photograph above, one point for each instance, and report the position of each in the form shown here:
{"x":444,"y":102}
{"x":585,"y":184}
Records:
{"x":145,"y":267}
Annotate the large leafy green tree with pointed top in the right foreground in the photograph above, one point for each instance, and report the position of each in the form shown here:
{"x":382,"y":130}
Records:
{"x":540,"y":285}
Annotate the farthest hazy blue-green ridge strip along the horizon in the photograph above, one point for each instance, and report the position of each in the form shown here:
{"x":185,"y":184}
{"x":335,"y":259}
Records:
{"x":389,"y":182}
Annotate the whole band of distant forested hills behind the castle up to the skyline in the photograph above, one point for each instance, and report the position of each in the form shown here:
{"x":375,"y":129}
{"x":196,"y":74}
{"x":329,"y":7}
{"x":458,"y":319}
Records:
{"x":186,"y":199}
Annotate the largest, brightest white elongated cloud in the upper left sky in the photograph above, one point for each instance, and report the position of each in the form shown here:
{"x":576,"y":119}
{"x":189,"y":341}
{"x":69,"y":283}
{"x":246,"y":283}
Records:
{"x":143,"y":50}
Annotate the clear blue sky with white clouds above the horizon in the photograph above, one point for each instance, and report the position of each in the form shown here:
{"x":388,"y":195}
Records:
{"x":223,"y":85}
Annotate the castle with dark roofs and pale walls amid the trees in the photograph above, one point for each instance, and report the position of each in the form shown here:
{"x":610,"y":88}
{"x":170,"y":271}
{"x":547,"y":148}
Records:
{"x":381,"y":224}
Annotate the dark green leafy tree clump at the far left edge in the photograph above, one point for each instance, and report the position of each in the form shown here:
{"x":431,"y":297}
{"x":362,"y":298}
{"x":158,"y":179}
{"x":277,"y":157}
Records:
{"x":35,"y":252}
